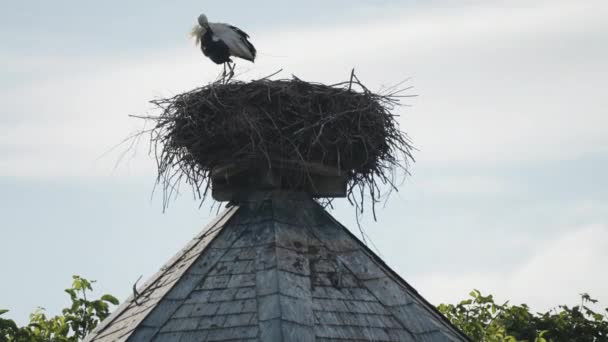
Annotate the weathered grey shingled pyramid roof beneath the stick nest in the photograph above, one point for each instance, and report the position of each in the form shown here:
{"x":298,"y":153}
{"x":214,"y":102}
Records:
{"x":277,"y":267}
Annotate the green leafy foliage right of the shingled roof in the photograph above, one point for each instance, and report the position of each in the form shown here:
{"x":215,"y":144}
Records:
{"x":482,"y":319}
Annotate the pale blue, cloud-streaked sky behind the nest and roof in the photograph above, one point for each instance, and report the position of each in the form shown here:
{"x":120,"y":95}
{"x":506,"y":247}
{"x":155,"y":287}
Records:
{"x":508,"y":194}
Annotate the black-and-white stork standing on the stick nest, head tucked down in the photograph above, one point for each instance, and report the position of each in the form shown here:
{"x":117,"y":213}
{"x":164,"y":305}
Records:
{"x":221,"y":41}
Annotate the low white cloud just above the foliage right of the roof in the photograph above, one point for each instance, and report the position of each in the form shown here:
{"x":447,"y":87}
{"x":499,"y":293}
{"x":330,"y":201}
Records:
{"x":557,"y":273}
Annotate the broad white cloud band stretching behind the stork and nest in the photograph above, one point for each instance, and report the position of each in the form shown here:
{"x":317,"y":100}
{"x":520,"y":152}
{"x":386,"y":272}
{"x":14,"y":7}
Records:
{"x":498,"y":83}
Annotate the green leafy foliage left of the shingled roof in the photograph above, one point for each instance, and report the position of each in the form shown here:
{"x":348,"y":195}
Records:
{"x":75,"y":322}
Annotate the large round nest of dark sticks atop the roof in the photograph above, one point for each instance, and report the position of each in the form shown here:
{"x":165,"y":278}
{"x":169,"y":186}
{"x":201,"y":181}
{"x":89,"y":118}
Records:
{"x":284,"y":124}
